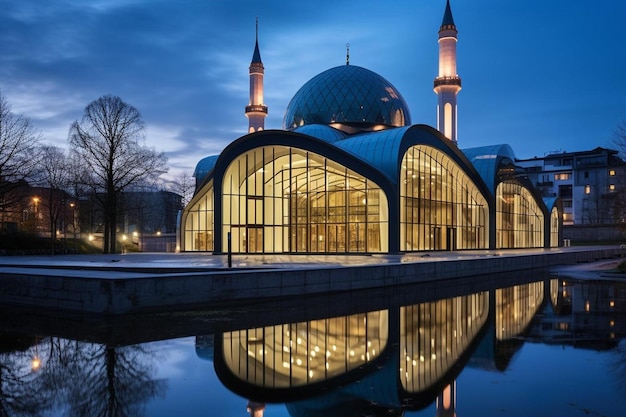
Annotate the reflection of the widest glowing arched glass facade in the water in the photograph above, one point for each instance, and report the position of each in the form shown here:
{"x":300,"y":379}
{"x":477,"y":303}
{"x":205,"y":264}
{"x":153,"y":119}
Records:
{"x":298,"y":354}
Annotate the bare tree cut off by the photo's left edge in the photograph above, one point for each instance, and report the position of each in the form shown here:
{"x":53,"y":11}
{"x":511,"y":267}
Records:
{"x":18,"y":155}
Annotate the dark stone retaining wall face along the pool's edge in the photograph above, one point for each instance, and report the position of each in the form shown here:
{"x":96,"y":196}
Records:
{"x":46,"y":290}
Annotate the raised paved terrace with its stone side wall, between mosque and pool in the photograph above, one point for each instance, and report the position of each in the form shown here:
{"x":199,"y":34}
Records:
{"x":139,"y":282}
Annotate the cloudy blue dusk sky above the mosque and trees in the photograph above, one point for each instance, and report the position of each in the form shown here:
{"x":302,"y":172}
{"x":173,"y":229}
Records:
{"x":539,"y":75}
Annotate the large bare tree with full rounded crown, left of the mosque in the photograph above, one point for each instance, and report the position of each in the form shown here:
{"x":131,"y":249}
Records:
{"x":109,"y":142}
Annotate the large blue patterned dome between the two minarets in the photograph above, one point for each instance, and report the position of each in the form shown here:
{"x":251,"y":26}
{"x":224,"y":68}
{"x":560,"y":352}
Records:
{"x":347,"y":94}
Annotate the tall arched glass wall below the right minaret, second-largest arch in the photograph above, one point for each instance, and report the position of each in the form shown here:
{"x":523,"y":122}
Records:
{"x":440,"y":207}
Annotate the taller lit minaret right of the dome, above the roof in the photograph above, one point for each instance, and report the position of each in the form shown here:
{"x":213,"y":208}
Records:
{"x":447,"y":83}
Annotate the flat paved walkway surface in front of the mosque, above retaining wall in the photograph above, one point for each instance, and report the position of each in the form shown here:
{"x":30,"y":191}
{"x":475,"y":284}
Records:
{"x":142,"y":264}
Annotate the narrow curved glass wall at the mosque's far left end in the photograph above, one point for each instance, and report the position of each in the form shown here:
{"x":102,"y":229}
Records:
{"x":199,"y":223}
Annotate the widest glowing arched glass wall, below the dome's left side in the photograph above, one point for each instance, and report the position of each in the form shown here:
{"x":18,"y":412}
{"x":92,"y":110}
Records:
{"x":284,"y":199}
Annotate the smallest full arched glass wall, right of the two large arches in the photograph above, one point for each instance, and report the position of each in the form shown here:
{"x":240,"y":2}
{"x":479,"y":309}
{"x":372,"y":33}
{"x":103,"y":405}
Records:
{"x":519,"y":220}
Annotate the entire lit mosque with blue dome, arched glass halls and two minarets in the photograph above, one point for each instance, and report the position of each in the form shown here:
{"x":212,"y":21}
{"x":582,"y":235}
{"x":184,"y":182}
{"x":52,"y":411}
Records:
{"x":350,"y":173}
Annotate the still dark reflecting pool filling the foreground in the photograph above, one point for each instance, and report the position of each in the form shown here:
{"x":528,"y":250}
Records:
{"x":536,"y":345}
